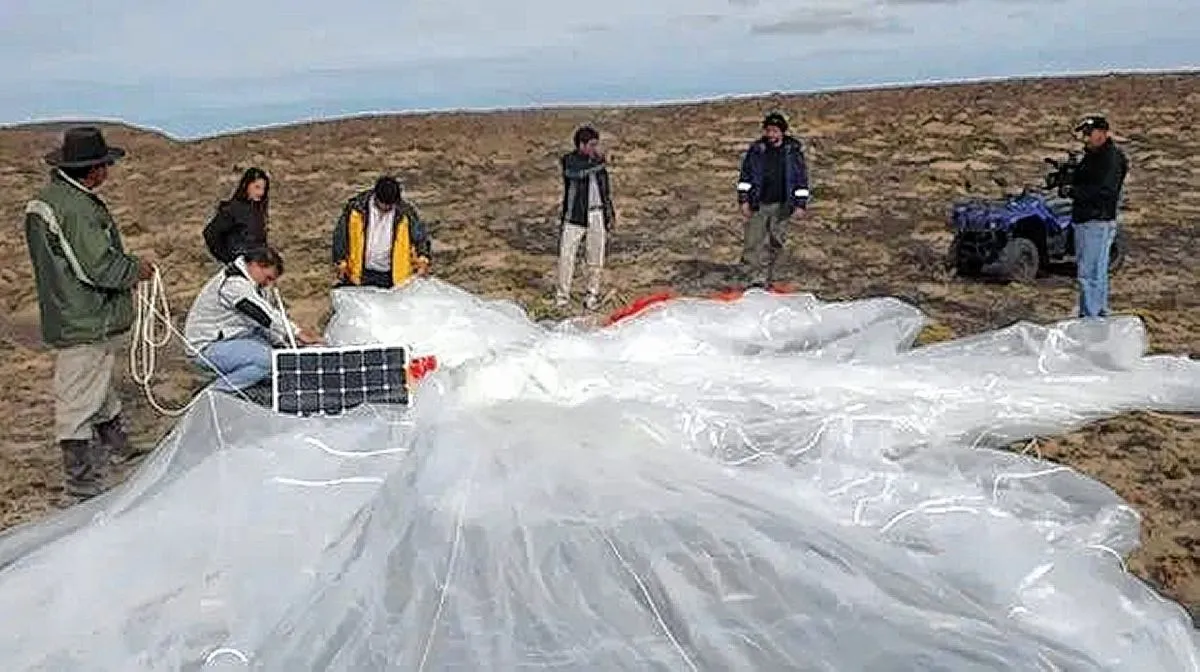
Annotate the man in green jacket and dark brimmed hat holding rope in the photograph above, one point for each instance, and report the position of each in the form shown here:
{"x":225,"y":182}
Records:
{"x":86,"y":285}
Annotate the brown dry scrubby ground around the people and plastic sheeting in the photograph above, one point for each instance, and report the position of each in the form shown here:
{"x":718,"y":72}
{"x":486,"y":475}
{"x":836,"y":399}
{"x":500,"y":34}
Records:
{"x":885,"y":166}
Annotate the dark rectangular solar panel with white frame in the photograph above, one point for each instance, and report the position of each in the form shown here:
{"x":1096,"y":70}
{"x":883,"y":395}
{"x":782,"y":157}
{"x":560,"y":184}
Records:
{"x":333,"y":380}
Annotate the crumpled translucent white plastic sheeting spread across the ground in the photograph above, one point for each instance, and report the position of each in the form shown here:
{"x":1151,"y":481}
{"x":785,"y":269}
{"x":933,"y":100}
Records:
{"x":767,"y":484}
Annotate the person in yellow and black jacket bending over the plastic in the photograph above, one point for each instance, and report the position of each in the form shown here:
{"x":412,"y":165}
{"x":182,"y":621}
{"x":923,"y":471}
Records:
{"x":380,"y":239}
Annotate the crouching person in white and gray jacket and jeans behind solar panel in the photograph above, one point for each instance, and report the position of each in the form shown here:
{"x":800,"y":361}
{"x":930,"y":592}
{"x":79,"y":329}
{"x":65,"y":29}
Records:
{"x":233,"y":326}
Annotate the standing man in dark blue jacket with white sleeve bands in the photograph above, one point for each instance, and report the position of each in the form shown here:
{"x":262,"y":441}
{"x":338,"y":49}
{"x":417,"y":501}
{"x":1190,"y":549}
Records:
{"x":773,"y":187}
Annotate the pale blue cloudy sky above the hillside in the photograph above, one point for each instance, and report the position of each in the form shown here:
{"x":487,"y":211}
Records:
{"x":208,"y":67}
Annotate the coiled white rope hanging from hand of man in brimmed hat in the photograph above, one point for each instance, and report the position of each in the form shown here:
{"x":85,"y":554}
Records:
{"x":153,"y":329}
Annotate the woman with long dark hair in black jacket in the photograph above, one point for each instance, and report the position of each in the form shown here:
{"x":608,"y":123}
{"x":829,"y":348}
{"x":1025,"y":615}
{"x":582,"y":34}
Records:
{"x":241,"y":224}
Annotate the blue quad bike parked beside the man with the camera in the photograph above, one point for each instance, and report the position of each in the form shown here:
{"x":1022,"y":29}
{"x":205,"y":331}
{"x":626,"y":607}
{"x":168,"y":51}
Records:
{"x":1019,"y":236}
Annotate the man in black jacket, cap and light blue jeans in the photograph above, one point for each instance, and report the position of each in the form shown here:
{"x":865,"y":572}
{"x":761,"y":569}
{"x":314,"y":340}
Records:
{"x":1096,"y":193}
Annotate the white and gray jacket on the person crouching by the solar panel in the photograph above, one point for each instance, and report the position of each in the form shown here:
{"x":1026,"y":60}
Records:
{"x":232,"y":305}
